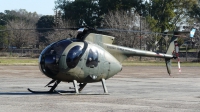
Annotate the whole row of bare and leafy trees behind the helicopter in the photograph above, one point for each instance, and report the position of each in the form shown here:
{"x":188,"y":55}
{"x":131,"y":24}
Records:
{"x":140,"y":15}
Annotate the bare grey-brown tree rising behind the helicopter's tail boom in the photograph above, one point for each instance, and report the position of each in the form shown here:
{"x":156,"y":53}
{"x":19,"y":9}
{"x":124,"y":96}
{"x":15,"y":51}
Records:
{"x":125,"y":21}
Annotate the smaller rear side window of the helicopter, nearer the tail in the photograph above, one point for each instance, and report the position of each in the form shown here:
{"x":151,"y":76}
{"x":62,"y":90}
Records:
{"x":92,"y":59}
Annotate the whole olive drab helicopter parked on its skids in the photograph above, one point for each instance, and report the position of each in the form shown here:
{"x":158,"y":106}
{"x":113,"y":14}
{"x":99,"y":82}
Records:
{"x":91,"y":57}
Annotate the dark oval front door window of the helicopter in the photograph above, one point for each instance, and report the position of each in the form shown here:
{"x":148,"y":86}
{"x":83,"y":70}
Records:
{"x":74,"y":56}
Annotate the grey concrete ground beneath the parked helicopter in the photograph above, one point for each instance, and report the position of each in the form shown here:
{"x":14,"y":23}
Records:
{"x":136,"y":88}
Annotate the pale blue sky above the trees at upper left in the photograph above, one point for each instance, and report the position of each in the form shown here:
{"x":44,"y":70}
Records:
{"x":43,"y":7}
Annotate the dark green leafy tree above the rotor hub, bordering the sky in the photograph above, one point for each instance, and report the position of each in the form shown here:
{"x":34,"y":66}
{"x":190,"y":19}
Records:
{"x":83,"y":12}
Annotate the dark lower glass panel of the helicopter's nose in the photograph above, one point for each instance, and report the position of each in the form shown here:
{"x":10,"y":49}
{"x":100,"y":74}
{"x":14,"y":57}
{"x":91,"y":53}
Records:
{"x":49,"y":65}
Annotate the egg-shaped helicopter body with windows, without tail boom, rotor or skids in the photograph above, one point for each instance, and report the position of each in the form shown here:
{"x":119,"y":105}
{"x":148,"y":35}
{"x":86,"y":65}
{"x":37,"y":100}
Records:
{"x":69,"y":60}
